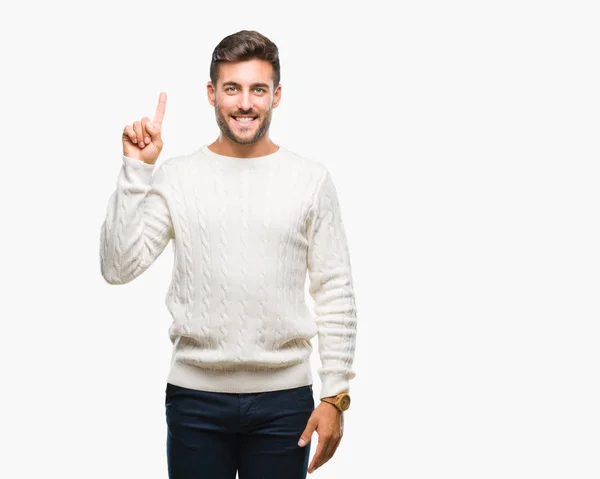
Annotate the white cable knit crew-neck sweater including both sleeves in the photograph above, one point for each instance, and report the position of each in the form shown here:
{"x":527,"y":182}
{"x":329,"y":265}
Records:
{"x":245,"y":233}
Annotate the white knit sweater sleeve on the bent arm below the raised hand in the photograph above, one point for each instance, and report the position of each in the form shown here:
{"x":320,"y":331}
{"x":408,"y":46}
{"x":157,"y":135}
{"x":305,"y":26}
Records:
{"x":137,"y":226}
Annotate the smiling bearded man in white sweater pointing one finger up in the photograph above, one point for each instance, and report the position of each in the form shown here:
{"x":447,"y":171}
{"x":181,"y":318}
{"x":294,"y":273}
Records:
{"x":249,"y":219}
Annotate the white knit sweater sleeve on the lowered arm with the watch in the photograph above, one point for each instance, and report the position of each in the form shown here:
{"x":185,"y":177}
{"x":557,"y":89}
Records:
{"x":331,"y":287}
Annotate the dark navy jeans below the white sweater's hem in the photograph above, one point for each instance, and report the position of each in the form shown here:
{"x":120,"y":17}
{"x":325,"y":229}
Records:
{"x":213,"y":435}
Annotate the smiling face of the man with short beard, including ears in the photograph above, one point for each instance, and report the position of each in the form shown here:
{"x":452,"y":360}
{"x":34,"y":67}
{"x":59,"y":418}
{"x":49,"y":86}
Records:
{"x":244,"y":100}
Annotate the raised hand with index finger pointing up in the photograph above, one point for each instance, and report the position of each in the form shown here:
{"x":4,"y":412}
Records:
{"x":142,"y":140}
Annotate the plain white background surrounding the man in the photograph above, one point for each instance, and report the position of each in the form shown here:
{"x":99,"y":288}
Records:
{"x":463,"y":141}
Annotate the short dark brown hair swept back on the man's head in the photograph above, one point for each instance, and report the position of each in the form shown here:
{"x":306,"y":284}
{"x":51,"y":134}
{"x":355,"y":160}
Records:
{"x":245,"y":45}
